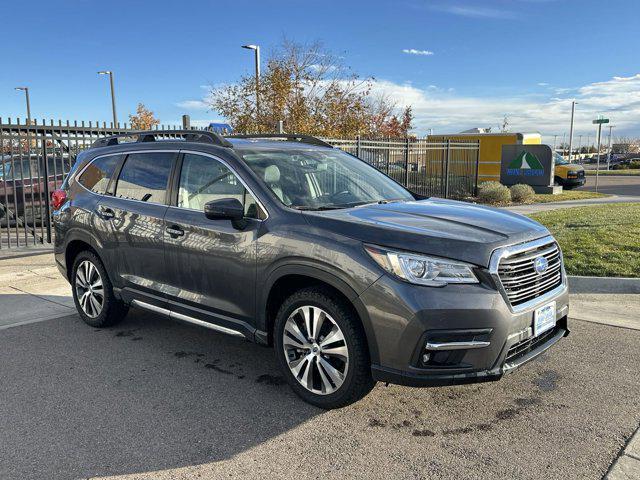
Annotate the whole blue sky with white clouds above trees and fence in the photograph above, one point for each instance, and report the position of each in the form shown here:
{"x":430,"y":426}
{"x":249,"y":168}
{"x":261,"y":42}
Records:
{"x":524,"y":58}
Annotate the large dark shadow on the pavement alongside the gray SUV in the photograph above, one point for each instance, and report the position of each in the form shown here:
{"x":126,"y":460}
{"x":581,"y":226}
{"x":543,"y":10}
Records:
{"x":145,"y":395}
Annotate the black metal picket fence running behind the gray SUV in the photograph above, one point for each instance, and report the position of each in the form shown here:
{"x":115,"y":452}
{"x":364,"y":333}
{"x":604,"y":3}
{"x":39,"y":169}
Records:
{"x":35,"y":158}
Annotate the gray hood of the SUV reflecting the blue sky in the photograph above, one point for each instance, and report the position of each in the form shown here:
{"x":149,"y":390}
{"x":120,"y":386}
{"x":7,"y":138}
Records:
{"x":445,"y":228}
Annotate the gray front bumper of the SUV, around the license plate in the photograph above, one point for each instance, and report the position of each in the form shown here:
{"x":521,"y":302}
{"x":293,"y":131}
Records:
{"x":404,"y":317}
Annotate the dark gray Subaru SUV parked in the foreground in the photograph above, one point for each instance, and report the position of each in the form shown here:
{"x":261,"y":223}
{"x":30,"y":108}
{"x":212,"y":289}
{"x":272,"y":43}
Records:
{"x":286,"y":241}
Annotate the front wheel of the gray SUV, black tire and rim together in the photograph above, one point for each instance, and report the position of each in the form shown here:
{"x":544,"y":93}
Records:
{"x":321,"y":349}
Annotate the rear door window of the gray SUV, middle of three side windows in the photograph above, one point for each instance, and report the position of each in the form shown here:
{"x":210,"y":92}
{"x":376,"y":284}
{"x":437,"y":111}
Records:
{"x":144,"y":176}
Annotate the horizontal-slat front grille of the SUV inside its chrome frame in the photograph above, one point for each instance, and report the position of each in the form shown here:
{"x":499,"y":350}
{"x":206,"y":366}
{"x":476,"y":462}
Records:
{"x":519,"y":278}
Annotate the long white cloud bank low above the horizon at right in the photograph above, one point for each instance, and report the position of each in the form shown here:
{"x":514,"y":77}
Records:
{"x":448,"y":112}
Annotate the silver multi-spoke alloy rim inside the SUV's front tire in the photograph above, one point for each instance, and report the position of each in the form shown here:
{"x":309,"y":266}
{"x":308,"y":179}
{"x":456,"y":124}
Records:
{"x":315,"y":350}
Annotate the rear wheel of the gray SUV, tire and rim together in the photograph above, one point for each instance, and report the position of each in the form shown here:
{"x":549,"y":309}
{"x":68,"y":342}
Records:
{"x":93,"y":292}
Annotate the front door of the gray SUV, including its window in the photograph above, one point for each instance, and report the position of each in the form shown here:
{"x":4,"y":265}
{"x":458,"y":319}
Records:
{"x":211,"y":263}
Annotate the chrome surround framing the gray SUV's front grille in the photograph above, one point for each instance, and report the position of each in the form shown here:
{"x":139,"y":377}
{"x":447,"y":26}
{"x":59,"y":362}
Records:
{"x":502,"y":252}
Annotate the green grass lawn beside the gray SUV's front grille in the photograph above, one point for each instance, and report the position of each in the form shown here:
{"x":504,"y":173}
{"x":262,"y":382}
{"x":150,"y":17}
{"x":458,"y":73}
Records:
{"x":601,"y":240}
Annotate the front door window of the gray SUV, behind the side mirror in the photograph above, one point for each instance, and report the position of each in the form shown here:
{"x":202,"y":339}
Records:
{"x":203,"y":179}
